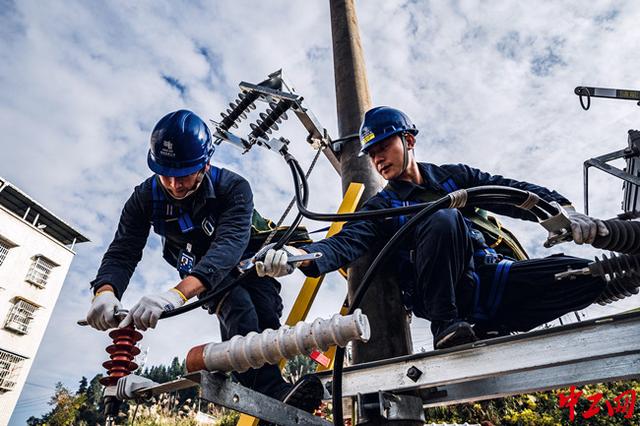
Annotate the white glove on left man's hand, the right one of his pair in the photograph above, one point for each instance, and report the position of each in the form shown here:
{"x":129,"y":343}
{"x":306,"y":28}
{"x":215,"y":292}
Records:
{"x":147,"y":311}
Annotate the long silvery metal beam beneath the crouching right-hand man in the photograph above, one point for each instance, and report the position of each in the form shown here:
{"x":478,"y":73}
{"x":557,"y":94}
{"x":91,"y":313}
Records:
{"x":594,"y":351}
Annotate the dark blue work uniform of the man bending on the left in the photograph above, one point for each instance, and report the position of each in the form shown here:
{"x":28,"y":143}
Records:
{"x":204,"y":235}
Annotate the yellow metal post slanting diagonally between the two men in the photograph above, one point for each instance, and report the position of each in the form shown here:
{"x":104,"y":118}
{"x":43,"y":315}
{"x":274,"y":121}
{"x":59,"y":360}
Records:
{"x":311,"y":286}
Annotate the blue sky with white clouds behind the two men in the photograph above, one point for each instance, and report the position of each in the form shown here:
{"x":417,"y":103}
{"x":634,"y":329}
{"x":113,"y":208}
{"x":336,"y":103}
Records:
{"x":489,"y":84}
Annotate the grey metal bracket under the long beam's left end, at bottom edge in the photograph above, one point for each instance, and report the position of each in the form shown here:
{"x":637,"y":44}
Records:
{"x":390,"y":407}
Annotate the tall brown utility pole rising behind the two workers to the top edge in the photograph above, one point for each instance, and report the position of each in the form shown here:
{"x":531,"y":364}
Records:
{"x":390,"y":336}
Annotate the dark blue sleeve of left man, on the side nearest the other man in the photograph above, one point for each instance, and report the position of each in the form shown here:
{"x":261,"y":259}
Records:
{"x":233,"y":230}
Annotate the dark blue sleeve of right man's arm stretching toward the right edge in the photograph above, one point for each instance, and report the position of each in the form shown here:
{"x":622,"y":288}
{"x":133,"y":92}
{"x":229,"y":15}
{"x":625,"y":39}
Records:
{"x":468,"y":177}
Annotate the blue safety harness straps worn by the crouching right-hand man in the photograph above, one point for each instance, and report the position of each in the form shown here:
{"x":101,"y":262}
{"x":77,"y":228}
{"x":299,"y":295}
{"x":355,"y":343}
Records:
{"x":503,"y":250}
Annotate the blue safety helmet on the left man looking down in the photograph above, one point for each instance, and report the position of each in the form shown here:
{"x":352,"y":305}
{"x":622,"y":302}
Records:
{"x":180,"y":144}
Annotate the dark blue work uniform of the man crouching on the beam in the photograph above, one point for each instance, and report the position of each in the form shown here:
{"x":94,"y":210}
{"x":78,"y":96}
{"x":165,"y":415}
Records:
{"x":448,"y":275}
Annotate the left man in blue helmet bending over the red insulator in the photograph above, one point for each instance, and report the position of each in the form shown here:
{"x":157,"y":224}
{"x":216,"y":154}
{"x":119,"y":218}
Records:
{"x":203,"y":215}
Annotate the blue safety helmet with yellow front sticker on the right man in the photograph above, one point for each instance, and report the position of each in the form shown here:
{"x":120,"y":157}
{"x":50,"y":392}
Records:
{"x":381,"y":122}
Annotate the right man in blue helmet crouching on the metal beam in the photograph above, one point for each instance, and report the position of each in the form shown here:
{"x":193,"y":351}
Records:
{"x":461,"y":270}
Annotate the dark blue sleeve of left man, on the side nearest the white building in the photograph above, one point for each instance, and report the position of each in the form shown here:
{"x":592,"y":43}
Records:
{"x":125,"y":251}
